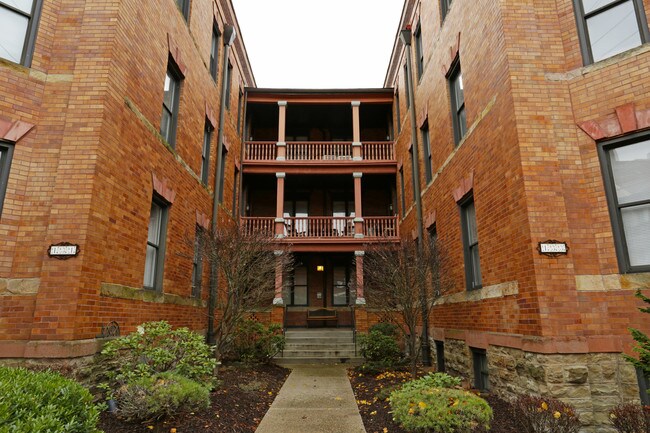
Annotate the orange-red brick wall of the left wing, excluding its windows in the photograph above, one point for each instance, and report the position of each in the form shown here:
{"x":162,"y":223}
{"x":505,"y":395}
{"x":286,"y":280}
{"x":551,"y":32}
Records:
{"x":84,"y":174}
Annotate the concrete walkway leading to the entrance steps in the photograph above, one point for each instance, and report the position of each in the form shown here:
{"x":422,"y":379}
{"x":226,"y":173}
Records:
{"x":314,"y":399}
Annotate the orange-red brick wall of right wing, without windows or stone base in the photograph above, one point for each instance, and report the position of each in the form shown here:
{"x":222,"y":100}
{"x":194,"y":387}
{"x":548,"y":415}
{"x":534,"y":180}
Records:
{"x":536,"y":174}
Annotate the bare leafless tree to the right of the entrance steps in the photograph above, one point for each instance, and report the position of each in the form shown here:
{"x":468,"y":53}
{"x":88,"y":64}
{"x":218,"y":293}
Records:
{"x":402,"y":283}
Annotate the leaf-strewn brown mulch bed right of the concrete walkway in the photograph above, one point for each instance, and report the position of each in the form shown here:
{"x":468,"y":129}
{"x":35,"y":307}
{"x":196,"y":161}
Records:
{"x":372,"y":390}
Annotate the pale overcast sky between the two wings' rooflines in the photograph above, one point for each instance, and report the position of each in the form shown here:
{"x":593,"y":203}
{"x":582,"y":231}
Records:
{"x":319,"y":44}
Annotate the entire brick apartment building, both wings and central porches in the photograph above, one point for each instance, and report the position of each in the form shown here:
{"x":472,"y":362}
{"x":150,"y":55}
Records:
{"x":530,"y":124}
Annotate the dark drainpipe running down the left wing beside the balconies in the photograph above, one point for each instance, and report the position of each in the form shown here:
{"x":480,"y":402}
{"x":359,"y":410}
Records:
{"x":229,"y":35}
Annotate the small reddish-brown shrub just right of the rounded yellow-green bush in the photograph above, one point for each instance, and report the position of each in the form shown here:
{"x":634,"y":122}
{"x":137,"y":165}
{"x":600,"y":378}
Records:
{"x":546,"y":415}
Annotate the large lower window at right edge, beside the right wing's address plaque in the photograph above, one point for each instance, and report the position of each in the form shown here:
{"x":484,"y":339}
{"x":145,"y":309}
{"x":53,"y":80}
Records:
{"x":626,"y":168}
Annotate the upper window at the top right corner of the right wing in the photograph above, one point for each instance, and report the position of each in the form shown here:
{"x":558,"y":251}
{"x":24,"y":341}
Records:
{"x":609,"y":27}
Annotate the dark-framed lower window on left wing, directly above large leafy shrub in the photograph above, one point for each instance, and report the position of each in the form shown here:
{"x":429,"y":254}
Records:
{"x":153,"y":267}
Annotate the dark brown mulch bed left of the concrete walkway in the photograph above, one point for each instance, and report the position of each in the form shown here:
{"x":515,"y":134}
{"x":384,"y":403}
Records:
{"x":238,"y":405}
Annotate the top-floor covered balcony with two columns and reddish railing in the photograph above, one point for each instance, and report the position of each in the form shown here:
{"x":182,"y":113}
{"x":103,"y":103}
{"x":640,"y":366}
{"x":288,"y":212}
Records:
{"x":306,"y":131}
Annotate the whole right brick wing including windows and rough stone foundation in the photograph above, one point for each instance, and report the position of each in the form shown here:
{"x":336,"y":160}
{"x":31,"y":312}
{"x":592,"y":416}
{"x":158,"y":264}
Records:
{"x":519,"y":132}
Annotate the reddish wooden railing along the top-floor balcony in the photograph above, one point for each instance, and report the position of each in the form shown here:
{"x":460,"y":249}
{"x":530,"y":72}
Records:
{"x":318,"y":151}
